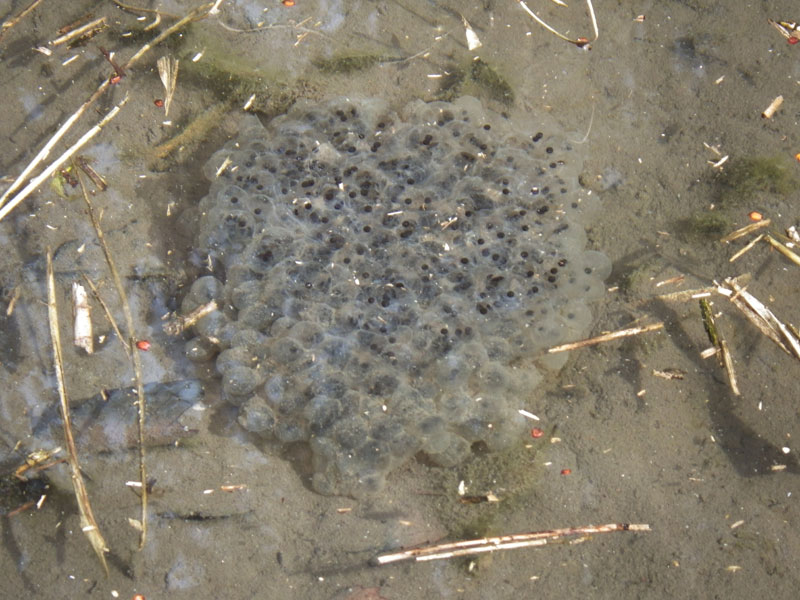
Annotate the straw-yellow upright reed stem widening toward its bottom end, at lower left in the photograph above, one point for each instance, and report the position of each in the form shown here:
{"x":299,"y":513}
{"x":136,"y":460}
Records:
{"x":88,"y":523}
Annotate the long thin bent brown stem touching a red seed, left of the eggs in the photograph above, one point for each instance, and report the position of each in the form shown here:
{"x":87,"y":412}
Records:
{"x":129,"y":341}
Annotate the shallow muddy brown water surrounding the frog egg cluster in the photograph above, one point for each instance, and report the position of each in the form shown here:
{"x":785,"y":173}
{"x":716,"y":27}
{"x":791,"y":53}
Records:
{"x":684,"y":455}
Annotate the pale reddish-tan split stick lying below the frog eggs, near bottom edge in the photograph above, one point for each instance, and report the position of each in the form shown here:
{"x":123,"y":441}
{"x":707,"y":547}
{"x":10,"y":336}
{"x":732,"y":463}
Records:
{"x":504,"y":542}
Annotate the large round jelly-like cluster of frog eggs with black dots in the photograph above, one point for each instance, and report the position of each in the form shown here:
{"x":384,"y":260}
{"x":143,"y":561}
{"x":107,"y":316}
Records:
{"x":388,"y":283}
